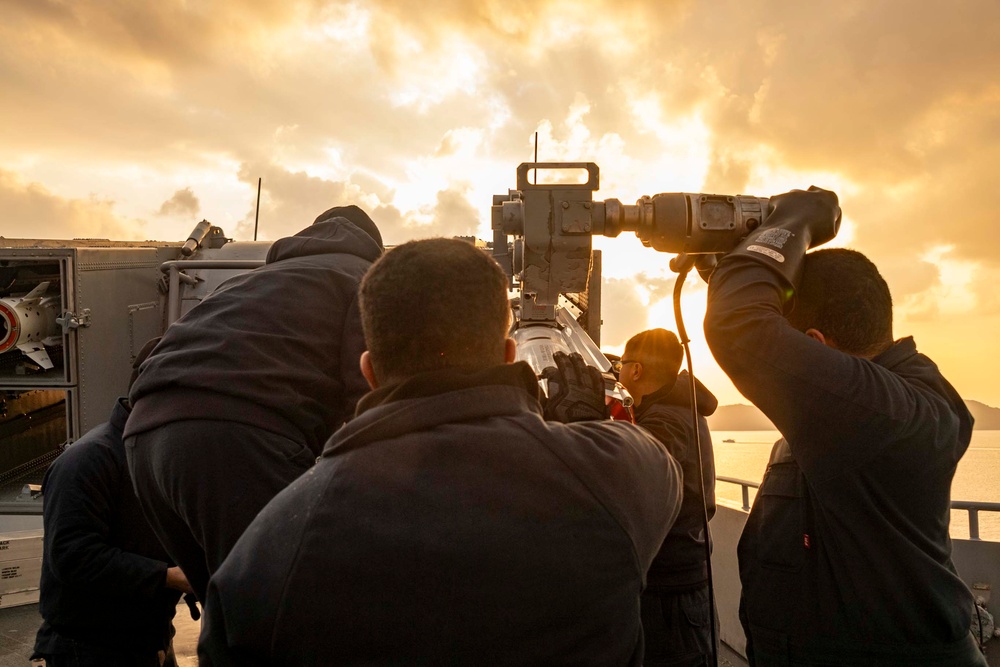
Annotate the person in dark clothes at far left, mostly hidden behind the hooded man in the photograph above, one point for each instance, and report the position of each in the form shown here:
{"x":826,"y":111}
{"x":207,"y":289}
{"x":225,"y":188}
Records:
{"x":107,"y":594}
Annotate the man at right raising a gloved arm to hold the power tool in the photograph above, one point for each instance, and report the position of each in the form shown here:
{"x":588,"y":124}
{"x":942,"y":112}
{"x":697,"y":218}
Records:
{"x":845,"y":558}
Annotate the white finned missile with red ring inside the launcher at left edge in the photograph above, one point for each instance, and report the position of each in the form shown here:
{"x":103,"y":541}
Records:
{"x":28,"y":323}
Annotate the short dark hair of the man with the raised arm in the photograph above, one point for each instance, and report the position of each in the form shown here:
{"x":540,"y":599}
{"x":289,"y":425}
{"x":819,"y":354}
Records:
{"x":843,"y":295}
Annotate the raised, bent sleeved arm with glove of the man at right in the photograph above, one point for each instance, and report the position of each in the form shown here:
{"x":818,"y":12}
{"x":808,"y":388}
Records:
{"x":820,"y":398}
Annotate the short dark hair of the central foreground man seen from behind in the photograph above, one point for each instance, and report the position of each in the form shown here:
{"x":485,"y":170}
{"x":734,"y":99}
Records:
{"x":434,"y":303}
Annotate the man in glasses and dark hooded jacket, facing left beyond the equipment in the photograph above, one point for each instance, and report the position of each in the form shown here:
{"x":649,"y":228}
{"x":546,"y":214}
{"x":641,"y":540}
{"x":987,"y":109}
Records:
{"x":675,"y":604}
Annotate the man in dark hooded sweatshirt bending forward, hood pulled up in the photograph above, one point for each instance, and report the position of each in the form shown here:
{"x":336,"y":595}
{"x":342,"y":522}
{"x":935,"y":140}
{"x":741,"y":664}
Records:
{"x":241,"y":393}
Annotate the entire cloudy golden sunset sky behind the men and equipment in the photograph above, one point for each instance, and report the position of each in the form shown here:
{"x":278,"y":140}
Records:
{"x":133,"y":120}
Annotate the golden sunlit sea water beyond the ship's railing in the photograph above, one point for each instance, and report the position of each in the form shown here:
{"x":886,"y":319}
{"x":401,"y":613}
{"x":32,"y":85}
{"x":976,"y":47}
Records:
{"x":977,"y":478}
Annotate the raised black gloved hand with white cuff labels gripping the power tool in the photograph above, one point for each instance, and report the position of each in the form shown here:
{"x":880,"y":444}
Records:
{"x":796,"y":221}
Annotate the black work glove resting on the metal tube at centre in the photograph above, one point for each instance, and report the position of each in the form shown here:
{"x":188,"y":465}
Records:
{"x":576,"y":390}
